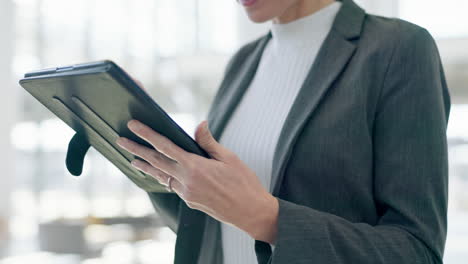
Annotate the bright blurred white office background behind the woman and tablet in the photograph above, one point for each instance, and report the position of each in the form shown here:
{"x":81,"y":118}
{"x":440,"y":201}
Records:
{"x":178,"y":49}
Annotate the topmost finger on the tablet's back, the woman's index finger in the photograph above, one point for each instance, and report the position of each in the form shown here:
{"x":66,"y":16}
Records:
{"x":158,"y":141}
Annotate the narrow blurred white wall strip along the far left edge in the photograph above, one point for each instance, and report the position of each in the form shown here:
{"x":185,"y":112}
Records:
{"x":7,"y":104}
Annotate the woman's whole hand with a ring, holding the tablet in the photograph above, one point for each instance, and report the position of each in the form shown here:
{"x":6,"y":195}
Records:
{"x":223,"y":186}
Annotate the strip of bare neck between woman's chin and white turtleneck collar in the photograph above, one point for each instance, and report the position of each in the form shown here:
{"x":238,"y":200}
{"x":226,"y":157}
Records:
{"x":300,"y":9}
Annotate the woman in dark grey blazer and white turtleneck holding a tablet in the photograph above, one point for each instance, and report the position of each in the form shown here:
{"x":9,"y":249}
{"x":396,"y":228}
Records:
{"x":333,"y":146}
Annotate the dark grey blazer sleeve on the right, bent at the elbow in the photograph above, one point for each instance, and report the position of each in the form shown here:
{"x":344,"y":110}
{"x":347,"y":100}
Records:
{"x":410,"y":175}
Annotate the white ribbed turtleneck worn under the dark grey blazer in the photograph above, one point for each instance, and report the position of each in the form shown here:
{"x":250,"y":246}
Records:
{"x":253,"y":130}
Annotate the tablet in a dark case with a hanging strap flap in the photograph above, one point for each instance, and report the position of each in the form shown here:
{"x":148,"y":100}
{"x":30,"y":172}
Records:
{"x":97,"y":100}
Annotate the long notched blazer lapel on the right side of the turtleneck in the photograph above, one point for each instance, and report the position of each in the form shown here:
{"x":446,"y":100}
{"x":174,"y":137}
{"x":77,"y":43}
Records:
{"x":331,"y":60}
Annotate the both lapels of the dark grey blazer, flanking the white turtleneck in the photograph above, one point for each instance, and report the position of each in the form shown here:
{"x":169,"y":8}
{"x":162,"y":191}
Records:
{"x":334,"y":54}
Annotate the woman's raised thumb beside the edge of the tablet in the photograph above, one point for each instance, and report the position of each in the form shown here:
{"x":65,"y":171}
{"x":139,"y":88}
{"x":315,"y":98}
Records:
{"x":206,"y":140}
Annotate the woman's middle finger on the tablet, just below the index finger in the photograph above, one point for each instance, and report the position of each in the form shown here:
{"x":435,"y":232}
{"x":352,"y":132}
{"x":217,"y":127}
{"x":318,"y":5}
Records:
{"x":152,"y":156}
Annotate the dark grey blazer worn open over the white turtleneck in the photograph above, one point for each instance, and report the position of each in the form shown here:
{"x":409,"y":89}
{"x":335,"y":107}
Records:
{"x":360,"y":169}
